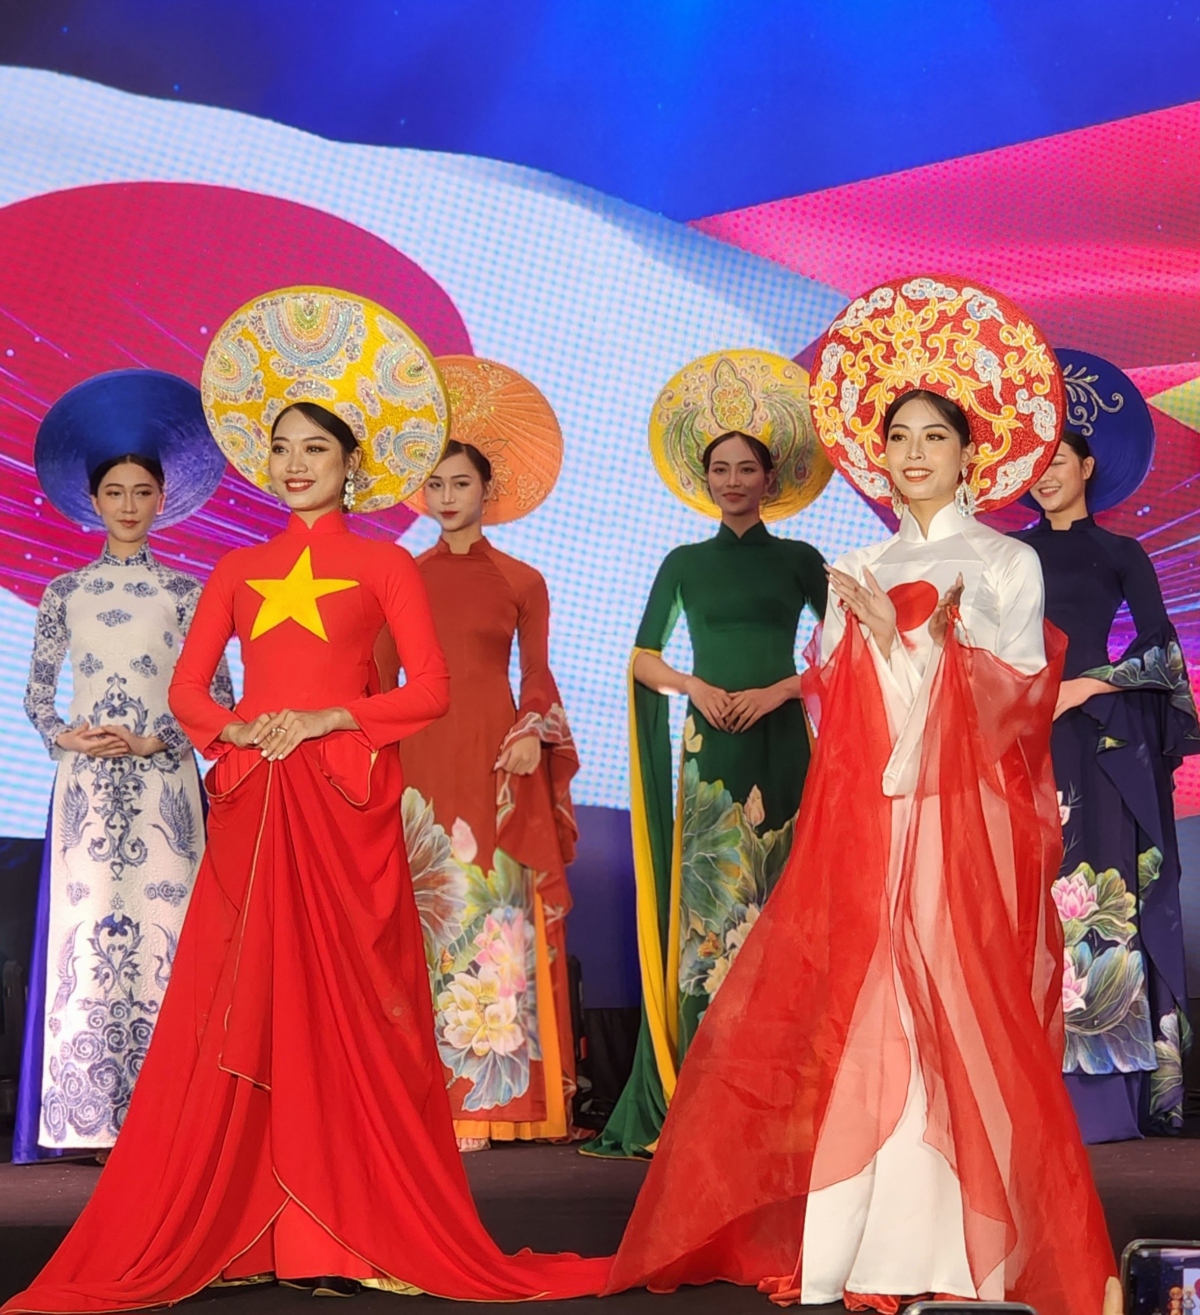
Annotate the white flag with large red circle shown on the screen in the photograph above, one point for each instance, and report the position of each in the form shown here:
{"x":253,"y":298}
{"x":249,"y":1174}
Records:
{"x":595,"y":300}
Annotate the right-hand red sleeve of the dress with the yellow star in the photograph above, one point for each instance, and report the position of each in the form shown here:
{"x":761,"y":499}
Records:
{"x":425,"y":696}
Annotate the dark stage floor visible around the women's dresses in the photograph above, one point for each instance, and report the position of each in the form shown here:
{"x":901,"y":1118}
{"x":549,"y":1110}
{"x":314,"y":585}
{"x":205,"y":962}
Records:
{"x":553,"y":1199}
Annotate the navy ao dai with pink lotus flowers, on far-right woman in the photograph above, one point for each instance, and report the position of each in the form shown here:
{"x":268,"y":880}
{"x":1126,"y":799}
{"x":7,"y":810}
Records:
{"x":1118,"y":895}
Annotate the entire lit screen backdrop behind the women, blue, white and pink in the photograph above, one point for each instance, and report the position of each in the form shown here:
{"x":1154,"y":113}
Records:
{"x":132,"y":224}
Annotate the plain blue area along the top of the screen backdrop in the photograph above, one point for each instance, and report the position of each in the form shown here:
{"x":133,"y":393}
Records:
{"x":685,"y":107}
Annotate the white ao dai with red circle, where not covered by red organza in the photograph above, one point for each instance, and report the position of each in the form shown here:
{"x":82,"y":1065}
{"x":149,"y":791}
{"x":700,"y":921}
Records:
{"x":872,"y":1234}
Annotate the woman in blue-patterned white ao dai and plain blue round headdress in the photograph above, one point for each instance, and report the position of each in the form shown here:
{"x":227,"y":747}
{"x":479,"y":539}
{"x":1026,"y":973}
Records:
{"x":126,"y":833}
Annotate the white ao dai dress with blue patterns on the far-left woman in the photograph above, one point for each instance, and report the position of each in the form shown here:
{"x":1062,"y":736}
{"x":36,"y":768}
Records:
{"x":126,"y":834}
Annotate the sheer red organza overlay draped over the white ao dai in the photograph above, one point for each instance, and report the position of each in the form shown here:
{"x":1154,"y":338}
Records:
{"x":801,"y":1068}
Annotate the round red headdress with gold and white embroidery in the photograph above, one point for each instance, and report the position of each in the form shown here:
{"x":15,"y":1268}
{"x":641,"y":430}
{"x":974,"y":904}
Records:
{"x":947,"y":337}
